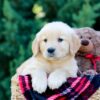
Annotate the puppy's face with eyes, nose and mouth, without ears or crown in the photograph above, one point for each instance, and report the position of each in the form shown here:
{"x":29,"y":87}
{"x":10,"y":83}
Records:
{"x":54,"y":45}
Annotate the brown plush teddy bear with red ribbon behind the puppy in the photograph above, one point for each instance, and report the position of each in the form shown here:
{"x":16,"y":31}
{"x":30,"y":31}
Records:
{"x":88,"y":56}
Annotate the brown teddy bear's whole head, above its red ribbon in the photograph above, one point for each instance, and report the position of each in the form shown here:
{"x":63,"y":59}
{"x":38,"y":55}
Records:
{"x":90,"y":40}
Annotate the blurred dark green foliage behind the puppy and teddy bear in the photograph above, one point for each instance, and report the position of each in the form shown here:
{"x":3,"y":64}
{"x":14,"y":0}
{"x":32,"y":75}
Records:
{"x":21,"y":19}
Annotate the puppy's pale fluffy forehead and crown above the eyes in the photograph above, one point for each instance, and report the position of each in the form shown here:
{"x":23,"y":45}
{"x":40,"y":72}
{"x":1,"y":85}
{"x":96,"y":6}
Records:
{"x":57,"y":29}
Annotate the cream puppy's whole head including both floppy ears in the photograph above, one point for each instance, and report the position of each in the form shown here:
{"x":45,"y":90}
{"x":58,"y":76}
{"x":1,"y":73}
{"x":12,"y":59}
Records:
{"x":55,"y":41}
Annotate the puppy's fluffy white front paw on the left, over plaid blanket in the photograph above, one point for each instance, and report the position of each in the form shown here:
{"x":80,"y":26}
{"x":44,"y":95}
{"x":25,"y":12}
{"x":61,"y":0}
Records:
{"x":39,"y":85}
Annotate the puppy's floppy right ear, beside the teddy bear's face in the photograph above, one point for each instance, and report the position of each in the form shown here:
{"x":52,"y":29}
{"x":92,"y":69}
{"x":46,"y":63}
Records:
{"x":75,"y":44}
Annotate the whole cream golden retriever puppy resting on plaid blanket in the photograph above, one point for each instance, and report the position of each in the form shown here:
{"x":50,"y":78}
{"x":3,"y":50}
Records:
{"x":53,"y":62}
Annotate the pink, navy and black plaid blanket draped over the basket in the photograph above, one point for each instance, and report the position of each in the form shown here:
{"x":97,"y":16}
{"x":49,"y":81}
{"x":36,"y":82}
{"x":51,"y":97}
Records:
{"x":80,"y":88}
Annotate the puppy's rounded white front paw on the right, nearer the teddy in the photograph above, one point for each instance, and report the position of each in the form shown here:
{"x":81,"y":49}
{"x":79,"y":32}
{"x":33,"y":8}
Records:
{"x":55,"y":81}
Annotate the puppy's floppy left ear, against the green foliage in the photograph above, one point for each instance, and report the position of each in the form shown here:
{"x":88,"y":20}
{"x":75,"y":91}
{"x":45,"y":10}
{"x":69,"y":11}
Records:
{"x":35,"y":45}
